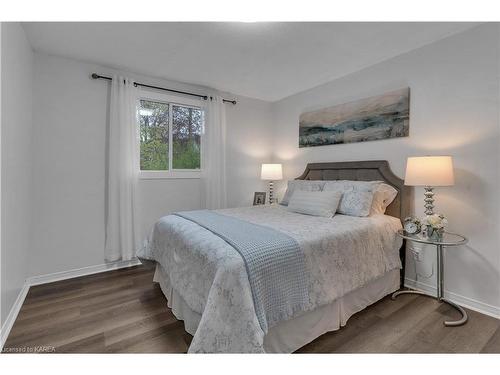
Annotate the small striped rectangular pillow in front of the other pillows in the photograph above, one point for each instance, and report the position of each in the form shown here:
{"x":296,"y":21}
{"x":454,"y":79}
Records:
{"x":316,"y":203}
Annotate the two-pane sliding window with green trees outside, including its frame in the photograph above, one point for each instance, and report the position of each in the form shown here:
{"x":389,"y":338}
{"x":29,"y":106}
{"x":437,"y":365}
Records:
{"x":170,"y":137}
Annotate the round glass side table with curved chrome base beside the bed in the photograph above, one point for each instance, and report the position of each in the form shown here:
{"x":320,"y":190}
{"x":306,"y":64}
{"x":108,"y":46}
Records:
{"x":448,"y":239}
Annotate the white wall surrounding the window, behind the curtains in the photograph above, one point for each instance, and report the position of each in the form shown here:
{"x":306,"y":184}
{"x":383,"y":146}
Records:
{"x":69,"y":145}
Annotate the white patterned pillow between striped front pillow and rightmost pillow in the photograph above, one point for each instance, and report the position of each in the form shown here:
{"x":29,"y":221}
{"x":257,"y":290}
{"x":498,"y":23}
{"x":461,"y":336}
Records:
{"x":357,"y":196}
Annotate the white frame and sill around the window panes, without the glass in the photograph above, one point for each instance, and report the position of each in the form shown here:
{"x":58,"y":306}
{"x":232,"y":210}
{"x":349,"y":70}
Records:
{"x":171,"y":100}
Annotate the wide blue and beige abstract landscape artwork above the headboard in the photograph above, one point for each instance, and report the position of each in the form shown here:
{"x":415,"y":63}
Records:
{"x":378,"y":117}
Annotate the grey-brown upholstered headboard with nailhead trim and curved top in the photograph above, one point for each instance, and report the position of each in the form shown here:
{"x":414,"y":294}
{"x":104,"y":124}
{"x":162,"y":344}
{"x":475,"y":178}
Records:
{"x":370,"y":170}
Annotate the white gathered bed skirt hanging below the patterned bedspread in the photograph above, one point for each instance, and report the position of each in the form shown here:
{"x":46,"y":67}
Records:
{"x":290,"y":335}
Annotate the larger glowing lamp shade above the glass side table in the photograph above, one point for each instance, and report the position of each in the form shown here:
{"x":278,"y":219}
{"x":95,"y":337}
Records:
{"x":429,"y":171}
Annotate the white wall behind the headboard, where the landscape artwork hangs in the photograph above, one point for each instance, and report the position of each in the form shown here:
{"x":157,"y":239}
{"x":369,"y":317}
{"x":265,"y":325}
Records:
{"x":454,"y":110}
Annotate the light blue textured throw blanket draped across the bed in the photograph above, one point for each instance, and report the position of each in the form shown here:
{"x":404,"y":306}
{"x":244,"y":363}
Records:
{"x":273,"y":260}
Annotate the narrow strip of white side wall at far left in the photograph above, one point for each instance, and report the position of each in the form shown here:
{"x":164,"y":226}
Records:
{"x":17,"y":78}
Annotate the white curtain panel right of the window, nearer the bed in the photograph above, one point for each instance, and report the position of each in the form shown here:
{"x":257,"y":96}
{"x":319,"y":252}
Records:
{"x":213,"y":162}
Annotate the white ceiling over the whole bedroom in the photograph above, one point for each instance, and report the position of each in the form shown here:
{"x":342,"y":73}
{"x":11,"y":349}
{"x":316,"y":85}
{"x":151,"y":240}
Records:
{"x":268,"y":61}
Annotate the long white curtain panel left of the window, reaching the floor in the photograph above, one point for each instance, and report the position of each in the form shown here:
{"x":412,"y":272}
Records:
{"x":122,"y":239}
